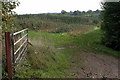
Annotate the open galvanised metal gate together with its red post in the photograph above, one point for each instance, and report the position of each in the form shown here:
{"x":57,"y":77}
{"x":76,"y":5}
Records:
{"x":16,"y":44}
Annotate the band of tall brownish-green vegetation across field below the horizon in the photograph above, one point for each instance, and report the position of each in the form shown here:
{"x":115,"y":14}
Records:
{"x":55,"y":22}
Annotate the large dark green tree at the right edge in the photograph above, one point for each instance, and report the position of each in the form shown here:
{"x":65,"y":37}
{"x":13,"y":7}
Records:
{"x":111,"y":24}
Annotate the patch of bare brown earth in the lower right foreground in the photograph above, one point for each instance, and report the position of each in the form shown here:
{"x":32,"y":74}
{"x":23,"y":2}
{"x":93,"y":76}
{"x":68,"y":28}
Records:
{"x":94,"y":65}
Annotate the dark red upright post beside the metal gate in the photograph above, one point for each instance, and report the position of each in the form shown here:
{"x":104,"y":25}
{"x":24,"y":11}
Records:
{"x":8,"y":54}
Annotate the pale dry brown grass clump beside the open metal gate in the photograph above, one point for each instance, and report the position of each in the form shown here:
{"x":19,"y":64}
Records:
{"x":40,"y":52}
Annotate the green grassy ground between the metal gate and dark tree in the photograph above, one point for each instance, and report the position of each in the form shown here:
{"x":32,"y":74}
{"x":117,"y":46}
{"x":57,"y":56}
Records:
{"x":49,"y":57}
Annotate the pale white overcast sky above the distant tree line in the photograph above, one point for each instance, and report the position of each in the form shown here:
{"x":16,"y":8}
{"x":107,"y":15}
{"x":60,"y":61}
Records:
{"x":55,"y":6}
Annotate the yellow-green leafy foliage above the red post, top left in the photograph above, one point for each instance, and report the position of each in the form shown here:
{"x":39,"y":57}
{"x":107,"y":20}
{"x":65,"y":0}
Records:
{"x":8,"y":14}
